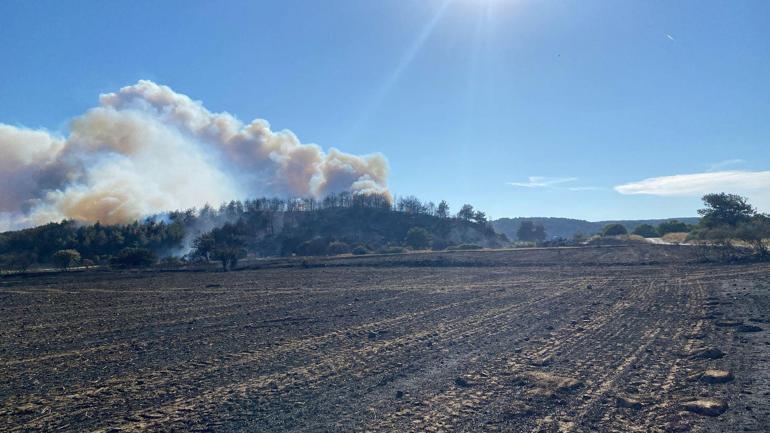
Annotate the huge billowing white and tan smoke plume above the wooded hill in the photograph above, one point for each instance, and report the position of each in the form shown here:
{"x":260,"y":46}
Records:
{"x":147,"y":149}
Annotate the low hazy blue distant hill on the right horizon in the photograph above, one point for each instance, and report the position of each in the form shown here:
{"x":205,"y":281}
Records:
{"x":567,"y":227}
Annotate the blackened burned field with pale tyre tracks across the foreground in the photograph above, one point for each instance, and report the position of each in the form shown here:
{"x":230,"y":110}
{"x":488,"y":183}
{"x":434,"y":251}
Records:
{"x":594,"y":339}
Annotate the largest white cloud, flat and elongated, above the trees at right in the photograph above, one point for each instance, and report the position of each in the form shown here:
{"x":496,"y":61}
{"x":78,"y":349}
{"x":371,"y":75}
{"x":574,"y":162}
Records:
{"x":754,"y":184}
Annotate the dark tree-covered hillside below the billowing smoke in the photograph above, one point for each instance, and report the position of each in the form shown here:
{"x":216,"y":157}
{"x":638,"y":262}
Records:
{"x":338,"y":224}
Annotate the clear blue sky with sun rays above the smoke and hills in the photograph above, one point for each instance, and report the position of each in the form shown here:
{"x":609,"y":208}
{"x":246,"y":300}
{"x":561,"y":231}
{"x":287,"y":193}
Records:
{"x":520,"y":107}
